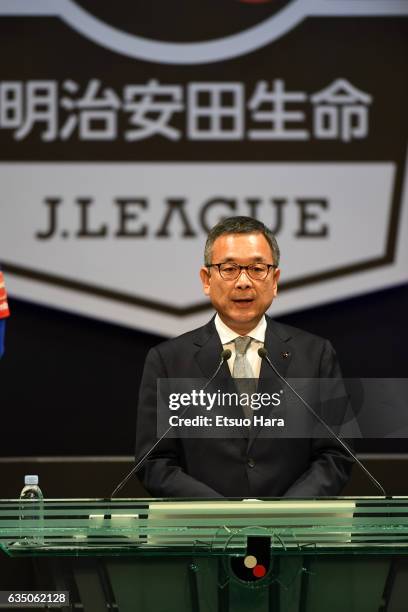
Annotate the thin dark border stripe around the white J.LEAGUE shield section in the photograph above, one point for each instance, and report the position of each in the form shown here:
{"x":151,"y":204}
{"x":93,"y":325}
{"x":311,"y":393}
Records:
{"x":182,"y":311}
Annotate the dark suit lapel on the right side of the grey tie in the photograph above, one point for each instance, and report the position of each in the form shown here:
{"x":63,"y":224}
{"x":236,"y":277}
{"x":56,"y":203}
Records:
{"x":280,"y":355}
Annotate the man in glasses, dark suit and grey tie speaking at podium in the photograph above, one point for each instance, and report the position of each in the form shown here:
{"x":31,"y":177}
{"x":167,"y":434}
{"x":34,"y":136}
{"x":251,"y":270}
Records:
{"x":240,"y":275}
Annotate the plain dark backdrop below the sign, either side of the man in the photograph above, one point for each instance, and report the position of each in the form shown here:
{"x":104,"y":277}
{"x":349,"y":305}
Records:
{"x":69,"y":384}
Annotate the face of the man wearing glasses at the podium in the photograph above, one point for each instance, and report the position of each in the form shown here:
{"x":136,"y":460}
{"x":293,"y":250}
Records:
{"x":240,"y":302}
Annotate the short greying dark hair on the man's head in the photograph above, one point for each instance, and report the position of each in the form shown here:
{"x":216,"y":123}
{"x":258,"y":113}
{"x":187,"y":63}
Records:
{"x":240,"y":225}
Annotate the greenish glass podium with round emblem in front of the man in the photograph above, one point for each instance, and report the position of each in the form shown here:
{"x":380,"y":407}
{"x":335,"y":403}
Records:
{"x":222,"y":555}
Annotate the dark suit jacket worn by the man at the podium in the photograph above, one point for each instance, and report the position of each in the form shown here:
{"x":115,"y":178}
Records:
{"x":238,"y":467}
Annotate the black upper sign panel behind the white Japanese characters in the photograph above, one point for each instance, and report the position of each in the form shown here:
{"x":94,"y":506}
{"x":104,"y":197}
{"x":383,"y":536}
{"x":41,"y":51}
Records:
{"x":369,"y":53}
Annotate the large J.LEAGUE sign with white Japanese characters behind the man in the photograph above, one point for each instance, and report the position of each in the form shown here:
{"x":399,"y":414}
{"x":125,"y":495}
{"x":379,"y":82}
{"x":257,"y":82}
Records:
{"x":124,"y":141}
